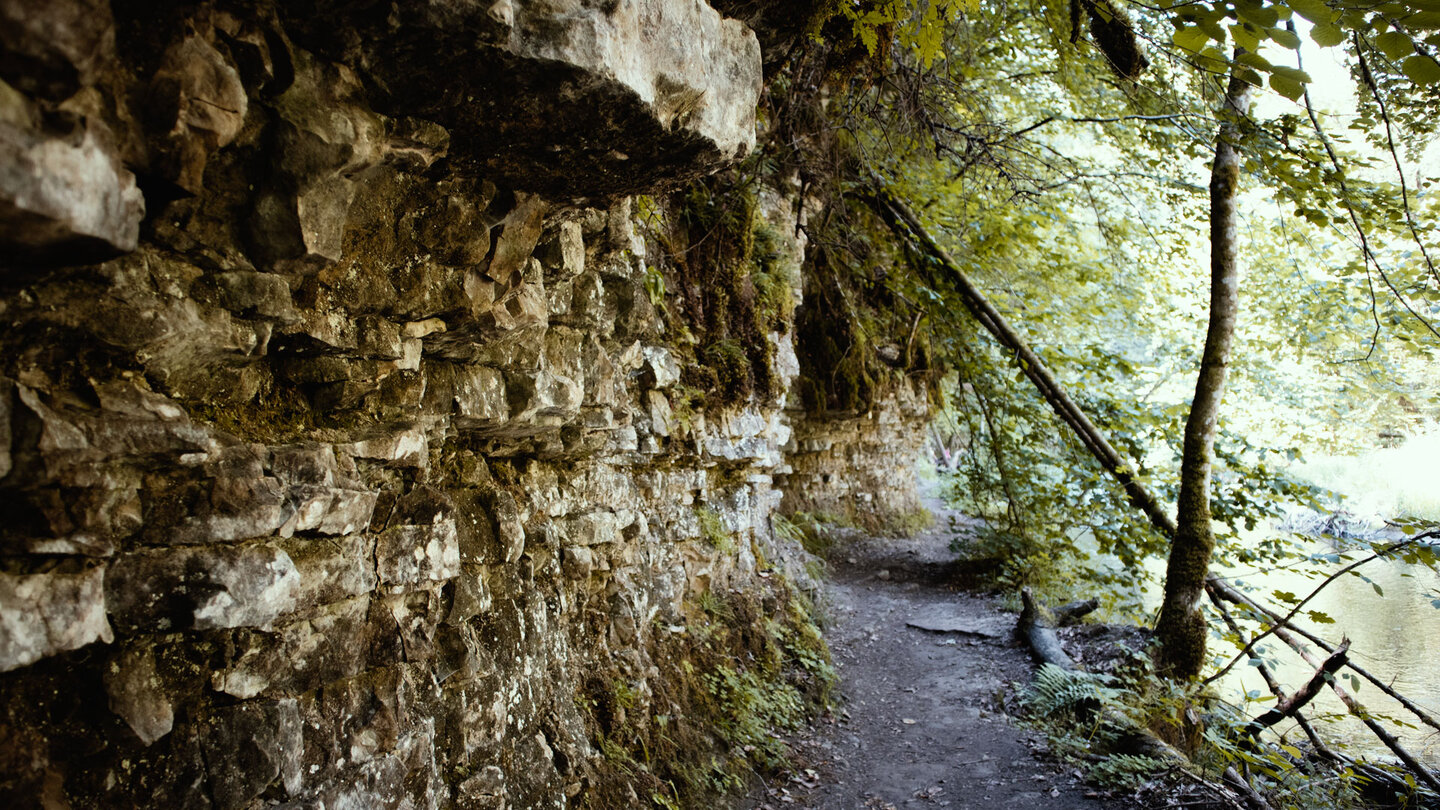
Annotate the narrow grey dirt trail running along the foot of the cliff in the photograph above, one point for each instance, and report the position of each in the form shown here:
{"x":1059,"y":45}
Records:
{"x":922,"y":723}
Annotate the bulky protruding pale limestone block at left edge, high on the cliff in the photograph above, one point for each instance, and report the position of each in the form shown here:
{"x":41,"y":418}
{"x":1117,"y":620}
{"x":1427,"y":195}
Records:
{"x":66,"y":195}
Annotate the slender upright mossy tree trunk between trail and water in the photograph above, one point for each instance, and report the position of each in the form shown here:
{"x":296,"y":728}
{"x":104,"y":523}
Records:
{"x":1182,"y":628}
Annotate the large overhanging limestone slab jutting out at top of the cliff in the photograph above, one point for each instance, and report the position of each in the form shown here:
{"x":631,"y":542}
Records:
{"x":653,"y":90}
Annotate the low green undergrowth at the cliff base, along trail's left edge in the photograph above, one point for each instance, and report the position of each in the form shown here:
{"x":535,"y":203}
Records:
{"x":747,"y":668}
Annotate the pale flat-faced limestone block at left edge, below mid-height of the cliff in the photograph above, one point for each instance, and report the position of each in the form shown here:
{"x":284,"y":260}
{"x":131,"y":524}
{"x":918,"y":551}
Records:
{"x":42,"y":615}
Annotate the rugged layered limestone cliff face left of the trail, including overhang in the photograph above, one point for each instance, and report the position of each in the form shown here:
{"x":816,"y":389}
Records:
{"x":355,"y":453}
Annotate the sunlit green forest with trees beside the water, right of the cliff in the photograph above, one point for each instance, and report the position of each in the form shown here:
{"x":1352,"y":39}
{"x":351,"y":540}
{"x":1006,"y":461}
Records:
{"x":1137,"y":192}
